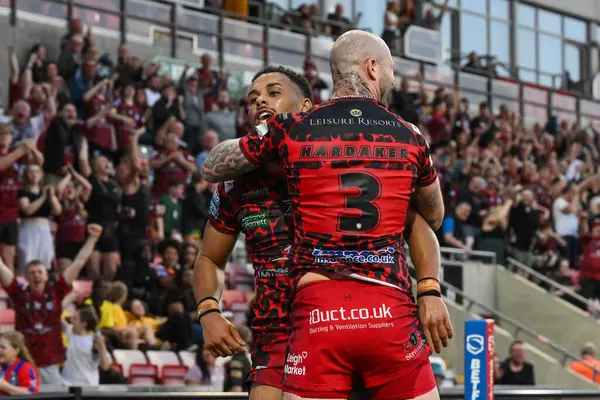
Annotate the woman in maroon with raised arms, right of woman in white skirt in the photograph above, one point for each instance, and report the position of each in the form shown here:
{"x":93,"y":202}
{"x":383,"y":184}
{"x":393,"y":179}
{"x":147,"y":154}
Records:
{"x":73,"y":192}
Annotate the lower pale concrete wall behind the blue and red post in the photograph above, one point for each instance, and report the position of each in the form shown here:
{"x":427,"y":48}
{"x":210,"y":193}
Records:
{"x":548,"y":371}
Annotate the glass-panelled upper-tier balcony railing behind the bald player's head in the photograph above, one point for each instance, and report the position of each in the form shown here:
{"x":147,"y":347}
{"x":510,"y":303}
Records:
{"x":263,"y":41}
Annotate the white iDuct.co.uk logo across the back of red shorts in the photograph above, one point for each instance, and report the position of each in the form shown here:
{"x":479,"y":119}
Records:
{"x":372,"y":318}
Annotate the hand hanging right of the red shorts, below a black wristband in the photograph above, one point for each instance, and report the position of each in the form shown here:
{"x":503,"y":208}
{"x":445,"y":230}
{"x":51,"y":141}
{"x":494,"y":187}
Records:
{"x":435,"y":321}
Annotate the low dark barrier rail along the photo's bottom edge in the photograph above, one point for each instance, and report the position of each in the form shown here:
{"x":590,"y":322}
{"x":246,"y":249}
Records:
{"x":141,"y":393}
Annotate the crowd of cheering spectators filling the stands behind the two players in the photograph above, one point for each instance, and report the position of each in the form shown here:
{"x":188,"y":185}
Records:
{"x":99,"y":181}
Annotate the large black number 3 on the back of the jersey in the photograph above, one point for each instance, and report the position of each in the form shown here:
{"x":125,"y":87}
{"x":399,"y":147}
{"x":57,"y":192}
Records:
{"x":361,"y":212}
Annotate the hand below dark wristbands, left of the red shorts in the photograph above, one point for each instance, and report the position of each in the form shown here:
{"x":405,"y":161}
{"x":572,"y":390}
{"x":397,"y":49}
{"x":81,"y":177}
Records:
{"x":220,"y":336}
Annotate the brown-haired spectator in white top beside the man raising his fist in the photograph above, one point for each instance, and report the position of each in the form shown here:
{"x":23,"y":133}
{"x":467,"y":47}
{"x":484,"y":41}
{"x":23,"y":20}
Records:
{"x":86,"y":351}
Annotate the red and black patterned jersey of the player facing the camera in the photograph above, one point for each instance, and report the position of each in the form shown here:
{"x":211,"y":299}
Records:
{"x":257,"y":206}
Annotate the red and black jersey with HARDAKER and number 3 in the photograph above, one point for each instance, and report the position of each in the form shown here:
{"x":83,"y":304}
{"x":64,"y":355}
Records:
{"x":351,"y":169}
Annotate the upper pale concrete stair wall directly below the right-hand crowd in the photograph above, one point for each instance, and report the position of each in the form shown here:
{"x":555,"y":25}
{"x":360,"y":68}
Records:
{"x":546,"y":314}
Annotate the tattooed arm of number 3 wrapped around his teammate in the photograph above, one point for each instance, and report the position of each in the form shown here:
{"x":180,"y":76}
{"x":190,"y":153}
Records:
{"x":225,"y":162}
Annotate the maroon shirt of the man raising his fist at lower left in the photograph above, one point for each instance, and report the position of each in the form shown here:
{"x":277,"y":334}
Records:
{"x":38,"y":319}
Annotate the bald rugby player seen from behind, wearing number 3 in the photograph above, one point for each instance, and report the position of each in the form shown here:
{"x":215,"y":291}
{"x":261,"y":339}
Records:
{"x":352,"y":168}
